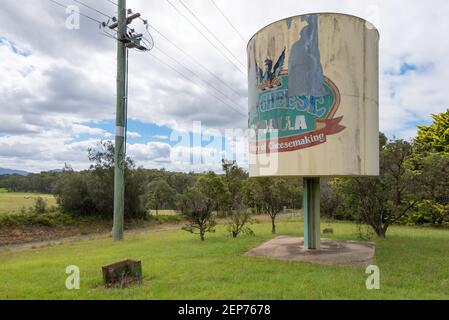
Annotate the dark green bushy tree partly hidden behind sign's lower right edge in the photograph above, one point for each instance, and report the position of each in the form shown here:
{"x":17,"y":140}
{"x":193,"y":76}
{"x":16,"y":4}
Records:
{"x":383,"y":201}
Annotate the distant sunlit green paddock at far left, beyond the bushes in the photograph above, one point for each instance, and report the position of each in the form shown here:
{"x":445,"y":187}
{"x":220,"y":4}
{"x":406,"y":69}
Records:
{"x":13,"y":202}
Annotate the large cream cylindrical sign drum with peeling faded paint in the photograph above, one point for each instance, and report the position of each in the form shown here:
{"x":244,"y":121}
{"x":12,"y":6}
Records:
{"x":313,"y":97}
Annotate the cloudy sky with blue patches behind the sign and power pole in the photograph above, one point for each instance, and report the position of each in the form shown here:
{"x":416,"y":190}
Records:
{"x":57,"y":87}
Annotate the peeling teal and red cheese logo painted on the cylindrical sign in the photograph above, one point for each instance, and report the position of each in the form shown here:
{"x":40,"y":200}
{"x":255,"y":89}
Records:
{"x":289,"y":93}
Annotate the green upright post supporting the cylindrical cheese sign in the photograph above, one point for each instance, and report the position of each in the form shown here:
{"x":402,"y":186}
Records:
{"x":312,"y":230}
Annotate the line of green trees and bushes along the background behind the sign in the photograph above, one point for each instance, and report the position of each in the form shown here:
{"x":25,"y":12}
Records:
{"x":412,"y":189}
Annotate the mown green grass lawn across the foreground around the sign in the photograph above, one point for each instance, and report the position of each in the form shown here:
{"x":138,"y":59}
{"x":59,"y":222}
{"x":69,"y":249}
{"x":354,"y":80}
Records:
{"x":413,"y":262}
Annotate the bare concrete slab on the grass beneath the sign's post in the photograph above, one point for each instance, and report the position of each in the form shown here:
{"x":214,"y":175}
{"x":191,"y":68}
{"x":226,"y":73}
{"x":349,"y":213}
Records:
{"x":332,"y":252}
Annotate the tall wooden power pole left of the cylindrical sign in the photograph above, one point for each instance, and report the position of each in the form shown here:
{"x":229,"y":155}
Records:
{"x":119,"y":157}
